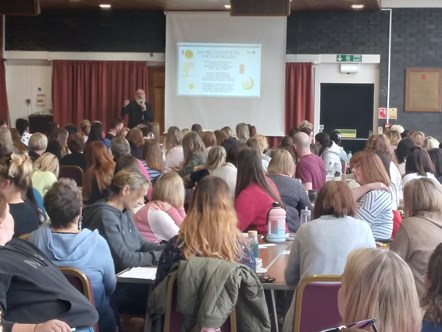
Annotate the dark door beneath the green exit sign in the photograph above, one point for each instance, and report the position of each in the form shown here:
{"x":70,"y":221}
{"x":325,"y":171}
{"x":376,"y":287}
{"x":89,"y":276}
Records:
{"x":348,"y":106}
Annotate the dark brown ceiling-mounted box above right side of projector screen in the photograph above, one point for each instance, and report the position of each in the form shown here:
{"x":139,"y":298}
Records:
{"x":260,"y":7}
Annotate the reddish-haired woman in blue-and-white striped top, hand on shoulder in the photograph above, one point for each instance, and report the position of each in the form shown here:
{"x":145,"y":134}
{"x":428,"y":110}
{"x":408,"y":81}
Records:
{"x":374,"y":204}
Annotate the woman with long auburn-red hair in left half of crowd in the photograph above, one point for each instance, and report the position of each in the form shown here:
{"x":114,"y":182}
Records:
{"x":99,"y":172}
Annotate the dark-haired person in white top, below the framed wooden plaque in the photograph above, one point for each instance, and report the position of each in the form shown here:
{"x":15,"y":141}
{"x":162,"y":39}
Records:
{"x":418,"y":165}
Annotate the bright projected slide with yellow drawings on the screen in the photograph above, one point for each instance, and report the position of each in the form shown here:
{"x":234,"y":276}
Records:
{"x":219,"y":70}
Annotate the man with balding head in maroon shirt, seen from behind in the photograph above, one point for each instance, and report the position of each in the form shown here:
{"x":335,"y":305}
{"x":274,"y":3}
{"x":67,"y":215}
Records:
{"x":310,"y":168}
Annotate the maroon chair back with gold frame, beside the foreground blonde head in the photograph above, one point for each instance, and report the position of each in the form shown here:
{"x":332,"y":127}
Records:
{"x":316,"y":303}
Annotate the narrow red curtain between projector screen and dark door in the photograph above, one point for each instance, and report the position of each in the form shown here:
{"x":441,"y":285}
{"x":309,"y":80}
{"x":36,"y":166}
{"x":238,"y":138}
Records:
{"x":298,"y":96}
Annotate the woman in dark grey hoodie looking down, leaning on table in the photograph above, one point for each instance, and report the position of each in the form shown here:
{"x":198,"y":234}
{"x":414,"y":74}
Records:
{"x":114,"y":220}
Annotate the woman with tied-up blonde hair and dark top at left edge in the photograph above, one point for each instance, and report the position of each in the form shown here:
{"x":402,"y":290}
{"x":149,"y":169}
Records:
{"x":15,"y":180}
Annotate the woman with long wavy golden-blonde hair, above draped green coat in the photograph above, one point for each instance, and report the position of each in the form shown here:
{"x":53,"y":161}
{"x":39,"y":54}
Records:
{"x":209,"y":230}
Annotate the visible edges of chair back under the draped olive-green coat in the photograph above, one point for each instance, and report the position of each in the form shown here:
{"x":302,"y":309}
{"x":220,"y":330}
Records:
{"x":172,"y":318}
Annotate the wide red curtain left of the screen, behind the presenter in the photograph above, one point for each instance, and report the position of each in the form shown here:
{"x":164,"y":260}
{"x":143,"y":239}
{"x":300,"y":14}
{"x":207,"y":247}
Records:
{"x":94,"y":90}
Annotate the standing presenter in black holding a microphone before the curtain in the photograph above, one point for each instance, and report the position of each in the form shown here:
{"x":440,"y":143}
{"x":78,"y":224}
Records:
{"x":139,"y":110}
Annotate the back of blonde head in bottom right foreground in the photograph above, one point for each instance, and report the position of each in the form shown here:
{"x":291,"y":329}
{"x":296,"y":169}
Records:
{"x":378,"y":284}
